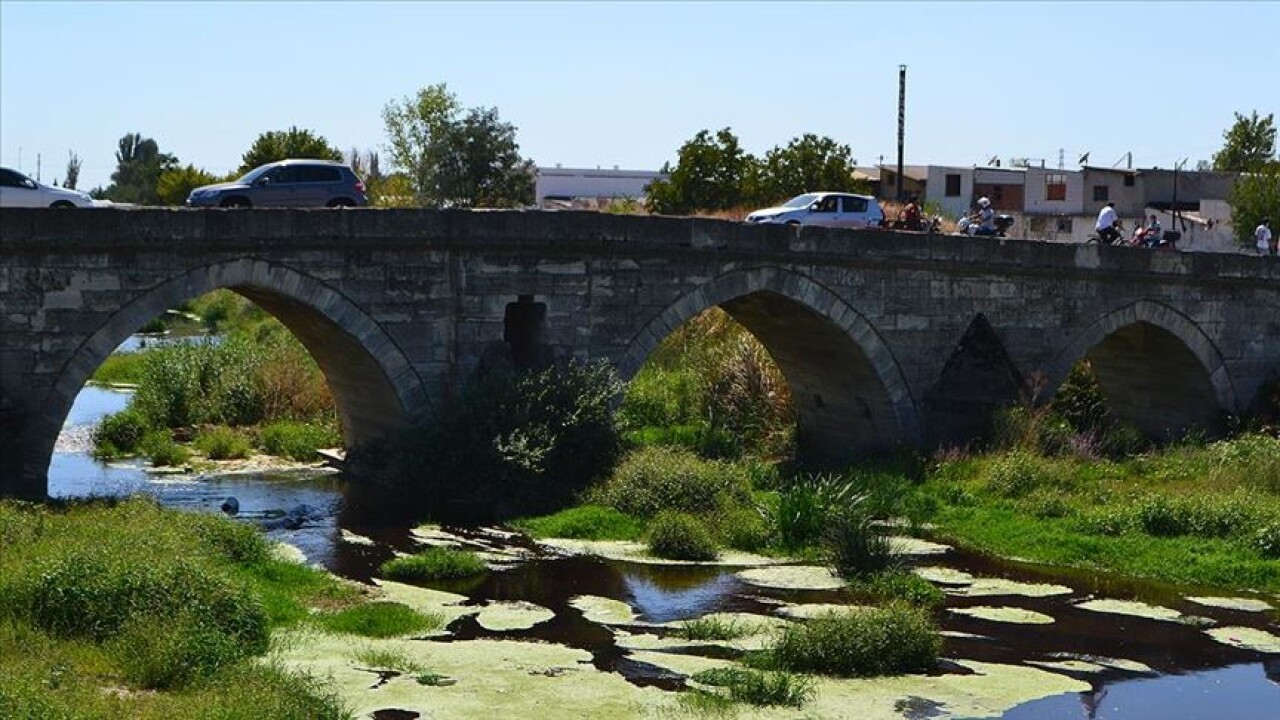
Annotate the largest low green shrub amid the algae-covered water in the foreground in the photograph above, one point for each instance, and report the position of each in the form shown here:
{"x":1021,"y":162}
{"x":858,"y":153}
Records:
{"x":879,"y":641}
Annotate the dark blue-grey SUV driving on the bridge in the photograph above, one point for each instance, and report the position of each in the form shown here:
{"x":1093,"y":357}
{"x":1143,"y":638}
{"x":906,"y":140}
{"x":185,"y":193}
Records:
{"x":287,"y":184}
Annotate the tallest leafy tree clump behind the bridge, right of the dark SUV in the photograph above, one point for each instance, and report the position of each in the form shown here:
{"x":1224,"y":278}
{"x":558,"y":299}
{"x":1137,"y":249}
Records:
{"x":456,"y":158}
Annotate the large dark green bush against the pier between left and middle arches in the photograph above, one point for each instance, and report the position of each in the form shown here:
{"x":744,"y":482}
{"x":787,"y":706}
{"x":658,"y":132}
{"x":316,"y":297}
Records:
{"x":514,"y":443}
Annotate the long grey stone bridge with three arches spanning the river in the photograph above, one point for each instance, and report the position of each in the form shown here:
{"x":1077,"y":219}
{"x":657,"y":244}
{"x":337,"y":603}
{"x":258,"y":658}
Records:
{"x":885,"y":339}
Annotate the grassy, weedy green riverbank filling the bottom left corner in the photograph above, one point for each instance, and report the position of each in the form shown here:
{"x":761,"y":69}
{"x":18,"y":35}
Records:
{"x":127,"y":596}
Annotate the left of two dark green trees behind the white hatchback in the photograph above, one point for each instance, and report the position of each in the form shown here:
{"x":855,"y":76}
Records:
{"x":711,"y":174}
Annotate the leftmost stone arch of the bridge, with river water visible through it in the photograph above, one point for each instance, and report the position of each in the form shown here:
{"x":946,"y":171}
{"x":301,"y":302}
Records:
{"x":373,"y":382}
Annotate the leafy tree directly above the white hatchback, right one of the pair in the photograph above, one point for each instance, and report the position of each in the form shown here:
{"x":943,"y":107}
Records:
{"x":806,"y":165}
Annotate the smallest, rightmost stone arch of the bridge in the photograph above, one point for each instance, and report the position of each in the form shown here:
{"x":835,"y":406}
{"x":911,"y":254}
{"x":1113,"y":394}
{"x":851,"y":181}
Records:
{"x":1156,"y":366}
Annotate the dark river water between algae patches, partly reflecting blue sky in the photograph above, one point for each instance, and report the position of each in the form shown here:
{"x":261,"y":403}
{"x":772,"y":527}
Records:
{"x":1188,"y":676}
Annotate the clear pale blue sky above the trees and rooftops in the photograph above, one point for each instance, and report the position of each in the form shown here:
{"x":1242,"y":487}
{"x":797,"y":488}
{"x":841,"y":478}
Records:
{"x":615,"y":84}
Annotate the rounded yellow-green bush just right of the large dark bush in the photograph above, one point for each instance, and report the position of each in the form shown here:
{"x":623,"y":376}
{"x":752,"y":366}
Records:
{"x":652,"y":480}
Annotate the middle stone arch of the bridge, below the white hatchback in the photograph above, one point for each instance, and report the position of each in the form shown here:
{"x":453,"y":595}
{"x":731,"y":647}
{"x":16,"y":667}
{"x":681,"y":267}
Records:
{"x":851,"y":393}
